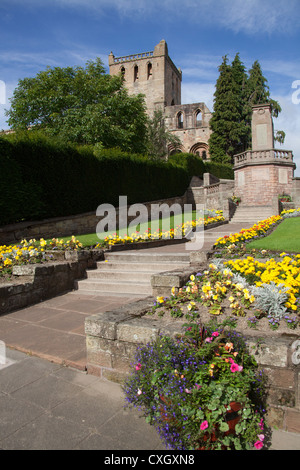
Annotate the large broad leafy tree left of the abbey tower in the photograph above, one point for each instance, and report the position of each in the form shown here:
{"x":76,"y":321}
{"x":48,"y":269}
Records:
{"x":83,"y":105}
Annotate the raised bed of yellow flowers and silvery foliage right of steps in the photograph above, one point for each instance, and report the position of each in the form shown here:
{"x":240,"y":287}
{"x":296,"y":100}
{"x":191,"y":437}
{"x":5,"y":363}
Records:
{"x":220,"y":291}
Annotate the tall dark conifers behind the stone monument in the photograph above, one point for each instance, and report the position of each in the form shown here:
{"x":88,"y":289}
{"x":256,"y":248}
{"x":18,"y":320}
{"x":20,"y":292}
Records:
{"x":236,"y":93}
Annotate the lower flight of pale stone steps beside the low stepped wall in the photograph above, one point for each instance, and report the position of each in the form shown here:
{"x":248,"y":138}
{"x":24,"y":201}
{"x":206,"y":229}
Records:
{"x":129,"y":273}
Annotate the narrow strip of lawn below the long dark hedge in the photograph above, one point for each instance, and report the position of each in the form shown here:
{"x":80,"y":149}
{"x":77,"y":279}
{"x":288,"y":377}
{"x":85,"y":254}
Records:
{"x":91,"y":239}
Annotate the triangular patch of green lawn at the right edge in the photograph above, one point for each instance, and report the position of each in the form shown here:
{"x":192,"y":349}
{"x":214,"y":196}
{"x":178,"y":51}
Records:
{"x":285,"y":238}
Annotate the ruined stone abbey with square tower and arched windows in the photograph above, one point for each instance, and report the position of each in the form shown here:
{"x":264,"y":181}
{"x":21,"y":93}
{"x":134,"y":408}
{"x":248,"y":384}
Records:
{"x":155,"y":75}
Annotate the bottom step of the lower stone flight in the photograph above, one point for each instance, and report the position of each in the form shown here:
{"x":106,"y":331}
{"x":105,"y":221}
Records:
{"x":96,"y":286}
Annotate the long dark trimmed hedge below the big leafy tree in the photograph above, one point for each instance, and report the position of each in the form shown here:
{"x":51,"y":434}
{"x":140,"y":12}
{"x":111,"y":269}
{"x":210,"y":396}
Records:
{"x":41,"y":178}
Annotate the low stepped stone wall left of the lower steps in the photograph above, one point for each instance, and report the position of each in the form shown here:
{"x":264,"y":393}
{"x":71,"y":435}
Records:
{"x":44,"y":281}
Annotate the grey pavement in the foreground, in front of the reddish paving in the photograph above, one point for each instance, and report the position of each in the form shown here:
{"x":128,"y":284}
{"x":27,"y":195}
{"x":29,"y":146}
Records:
{"x":47,"y":406}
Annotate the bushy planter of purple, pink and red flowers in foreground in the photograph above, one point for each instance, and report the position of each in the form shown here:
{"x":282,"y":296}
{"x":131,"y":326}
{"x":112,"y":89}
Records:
{"x":189,"y":386}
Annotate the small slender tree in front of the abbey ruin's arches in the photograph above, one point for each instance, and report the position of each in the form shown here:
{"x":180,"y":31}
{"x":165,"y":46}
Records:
{"x":159,"y":137}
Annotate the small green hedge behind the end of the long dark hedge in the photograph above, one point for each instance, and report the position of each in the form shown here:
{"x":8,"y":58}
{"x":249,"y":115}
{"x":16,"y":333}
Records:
{"x":196,"y":167}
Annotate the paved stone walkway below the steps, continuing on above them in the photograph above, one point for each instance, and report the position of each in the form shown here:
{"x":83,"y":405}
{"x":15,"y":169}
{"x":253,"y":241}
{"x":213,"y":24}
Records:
{"x":45,"y":405}
